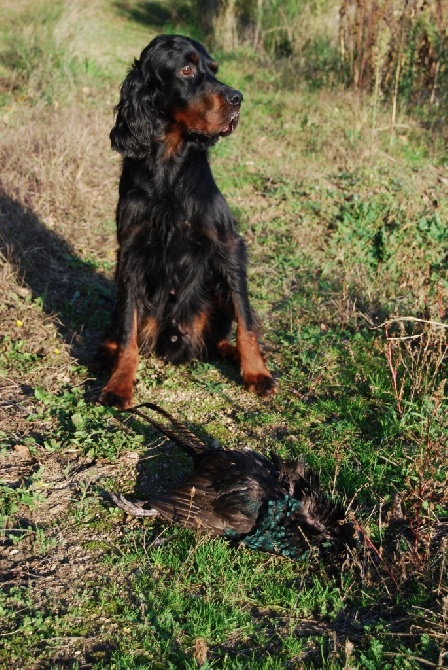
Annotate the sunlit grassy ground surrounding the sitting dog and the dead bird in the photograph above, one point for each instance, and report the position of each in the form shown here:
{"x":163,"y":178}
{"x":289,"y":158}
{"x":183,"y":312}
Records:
{"x":347,"y":247}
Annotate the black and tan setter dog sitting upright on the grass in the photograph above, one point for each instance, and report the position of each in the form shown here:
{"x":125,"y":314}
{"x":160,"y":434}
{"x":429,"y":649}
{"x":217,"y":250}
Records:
{"x":181,"y":267}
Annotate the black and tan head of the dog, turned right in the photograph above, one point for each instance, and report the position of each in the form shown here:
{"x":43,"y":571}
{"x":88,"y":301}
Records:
{"x":172,"y":95}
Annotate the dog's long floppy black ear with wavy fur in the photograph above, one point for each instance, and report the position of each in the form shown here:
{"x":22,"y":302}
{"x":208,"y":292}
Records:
{"x":134,"y":124}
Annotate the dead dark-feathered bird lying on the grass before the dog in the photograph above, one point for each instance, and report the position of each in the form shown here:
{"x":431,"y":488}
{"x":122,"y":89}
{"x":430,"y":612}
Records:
{"x":264,"y":503}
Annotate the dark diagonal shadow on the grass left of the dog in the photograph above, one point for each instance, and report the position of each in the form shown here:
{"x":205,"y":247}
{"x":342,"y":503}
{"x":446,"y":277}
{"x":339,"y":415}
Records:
{"x":70,"y":289}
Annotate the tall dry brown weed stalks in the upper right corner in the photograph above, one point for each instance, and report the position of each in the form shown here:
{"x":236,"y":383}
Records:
{"x":393,"y":48}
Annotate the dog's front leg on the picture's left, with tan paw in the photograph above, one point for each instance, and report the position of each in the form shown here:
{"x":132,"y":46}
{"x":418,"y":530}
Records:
{"x":120,"y":387}
